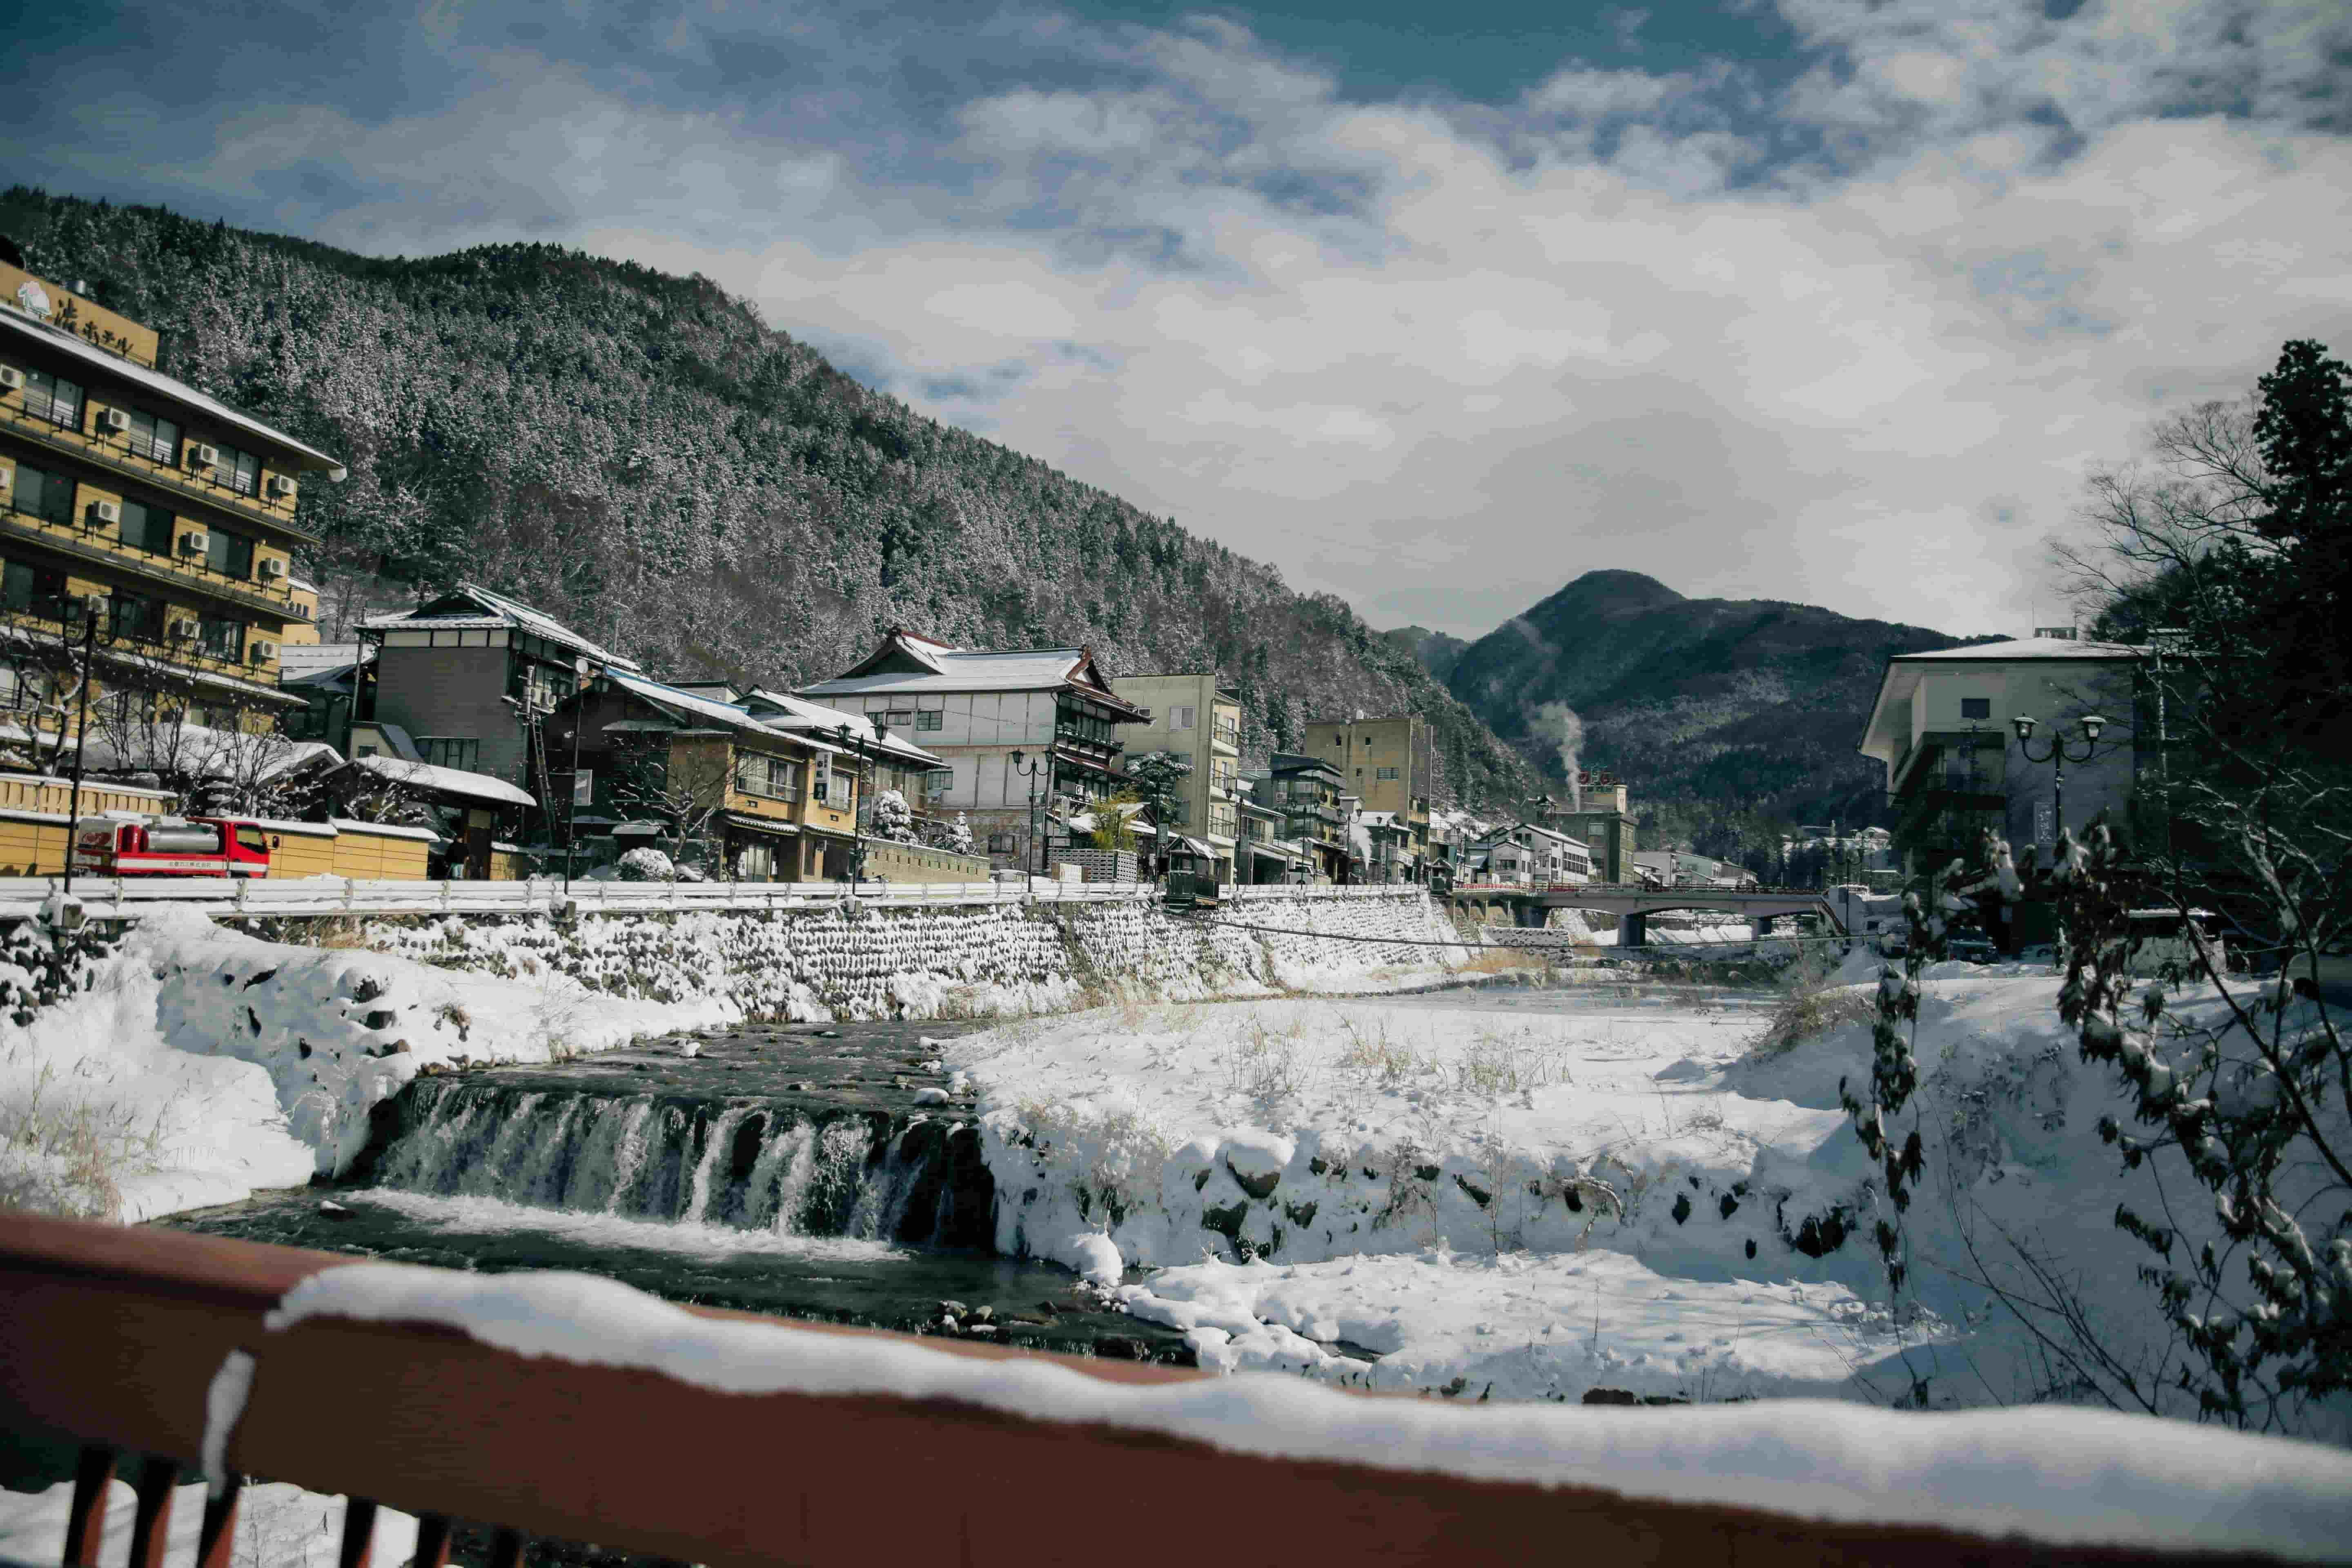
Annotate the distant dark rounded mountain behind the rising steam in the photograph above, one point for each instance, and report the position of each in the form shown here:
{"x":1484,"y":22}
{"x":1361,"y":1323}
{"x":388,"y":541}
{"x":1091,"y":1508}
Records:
{"x":1720,"y":706}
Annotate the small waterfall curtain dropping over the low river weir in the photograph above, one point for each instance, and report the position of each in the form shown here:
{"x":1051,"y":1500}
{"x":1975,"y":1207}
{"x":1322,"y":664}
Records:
{"x":749,"y":1165}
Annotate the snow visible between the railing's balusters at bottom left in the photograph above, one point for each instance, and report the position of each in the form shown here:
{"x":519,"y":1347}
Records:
{"x":279,"y":1527}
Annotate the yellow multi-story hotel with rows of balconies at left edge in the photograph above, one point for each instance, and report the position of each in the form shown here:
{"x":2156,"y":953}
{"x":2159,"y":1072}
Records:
{"x":142,"y":502}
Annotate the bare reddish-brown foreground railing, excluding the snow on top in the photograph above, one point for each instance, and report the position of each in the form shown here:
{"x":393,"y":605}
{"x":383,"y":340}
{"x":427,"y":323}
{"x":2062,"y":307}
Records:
{"x":109,"y":1339}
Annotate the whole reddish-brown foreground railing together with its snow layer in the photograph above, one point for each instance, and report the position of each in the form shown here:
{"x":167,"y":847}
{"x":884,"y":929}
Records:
{"x":526,"y":1402}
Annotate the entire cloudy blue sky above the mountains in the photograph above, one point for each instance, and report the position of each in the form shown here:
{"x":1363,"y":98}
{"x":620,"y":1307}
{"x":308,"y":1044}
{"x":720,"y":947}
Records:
{"x":1431,"y":307}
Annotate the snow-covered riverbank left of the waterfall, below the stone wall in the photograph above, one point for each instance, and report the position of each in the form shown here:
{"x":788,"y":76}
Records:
{"x":206,"y":1064}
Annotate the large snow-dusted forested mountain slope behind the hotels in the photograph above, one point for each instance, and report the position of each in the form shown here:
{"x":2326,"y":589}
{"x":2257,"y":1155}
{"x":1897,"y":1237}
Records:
{"x":648,"y":460}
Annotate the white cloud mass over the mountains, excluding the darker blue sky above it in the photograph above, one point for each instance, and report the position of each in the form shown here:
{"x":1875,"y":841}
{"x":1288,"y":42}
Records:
{"x":1441,"y":359}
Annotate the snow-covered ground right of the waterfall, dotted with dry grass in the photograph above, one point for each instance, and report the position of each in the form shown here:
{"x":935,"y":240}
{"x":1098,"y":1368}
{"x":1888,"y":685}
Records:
{"x":1575,"y":1193}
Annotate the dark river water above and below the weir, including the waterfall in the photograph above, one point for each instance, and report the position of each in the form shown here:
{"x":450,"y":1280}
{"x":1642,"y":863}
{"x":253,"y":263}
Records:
{"x":780,"y":1170}
